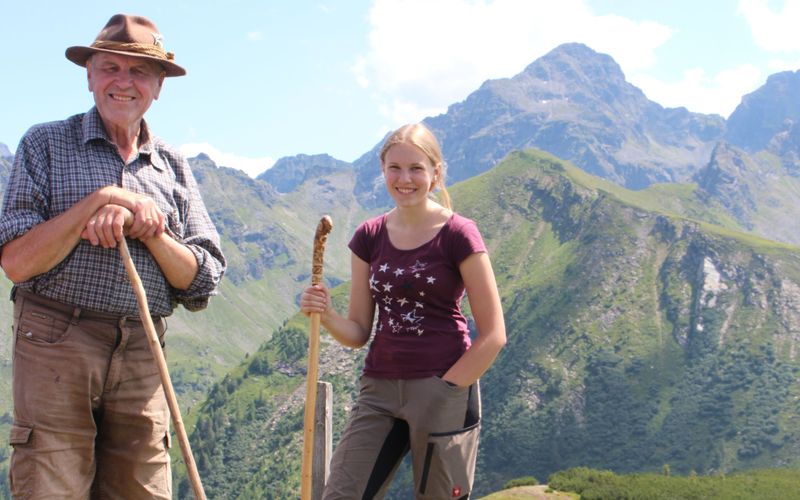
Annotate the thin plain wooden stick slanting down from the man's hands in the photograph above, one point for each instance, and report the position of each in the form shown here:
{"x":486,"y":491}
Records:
{"x":158,"y":354}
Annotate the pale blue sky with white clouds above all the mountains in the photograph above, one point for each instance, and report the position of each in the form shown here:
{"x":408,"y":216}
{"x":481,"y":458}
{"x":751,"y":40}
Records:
{"x":268,"y":79}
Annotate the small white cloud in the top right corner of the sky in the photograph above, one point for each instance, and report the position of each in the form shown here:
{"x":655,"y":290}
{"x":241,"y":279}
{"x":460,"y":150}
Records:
{"x":773,"y":30}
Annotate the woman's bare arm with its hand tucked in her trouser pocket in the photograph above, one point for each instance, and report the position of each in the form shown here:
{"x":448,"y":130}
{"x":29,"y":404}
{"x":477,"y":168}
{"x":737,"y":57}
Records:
{"x":488,"y":313}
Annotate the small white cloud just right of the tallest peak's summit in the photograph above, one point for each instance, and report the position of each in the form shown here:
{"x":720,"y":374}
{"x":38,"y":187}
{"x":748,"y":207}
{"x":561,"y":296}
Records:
{"x":702,"y":93}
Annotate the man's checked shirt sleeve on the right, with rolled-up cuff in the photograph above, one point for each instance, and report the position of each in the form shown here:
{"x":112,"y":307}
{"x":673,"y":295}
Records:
{"x":202,"y":238}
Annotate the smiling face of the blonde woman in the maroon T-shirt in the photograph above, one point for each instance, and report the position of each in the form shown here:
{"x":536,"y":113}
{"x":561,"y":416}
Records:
{"x":409,"y":174}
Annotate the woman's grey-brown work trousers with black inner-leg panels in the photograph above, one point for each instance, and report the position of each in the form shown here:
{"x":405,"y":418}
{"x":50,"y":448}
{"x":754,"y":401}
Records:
{"x":439,"y":423}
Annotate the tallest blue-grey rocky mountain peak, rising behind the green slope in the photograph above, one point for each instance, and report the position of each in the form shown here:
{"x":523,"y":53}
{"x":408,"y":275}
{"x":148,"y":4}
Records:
{"x":576,"y":104}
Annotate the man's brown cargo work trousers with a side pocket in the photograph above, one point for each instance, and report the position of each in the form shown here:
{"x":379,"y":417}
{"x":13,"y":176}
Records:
{"x":90,"y":416}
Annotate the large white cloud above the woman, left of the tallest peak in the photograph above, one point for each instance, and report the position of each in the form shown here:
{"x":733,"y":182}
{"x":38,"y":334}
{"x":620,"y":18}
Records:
{"x":426,"y":55}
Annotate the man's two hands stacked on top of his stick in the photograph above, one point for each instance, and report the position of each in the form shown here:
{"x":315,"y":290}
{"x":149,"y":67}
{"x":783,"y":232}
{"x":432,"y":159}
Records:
{"x":126,"y":213}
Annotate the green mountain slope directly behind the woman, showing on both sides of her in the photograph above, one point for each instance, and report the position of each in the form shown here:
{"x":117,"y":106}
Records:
{"x":636,"y":339}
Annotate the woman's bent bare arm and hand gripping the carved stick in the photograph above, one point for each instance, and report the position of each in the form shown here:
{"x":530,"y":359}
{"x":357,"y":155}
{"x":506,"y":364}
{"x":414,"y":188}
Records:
{"x":353,"y":331}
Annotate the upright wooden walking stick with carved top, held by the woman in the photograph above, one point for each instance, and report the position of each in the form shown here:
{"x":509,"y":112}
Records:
{"x":320,"y":238}
